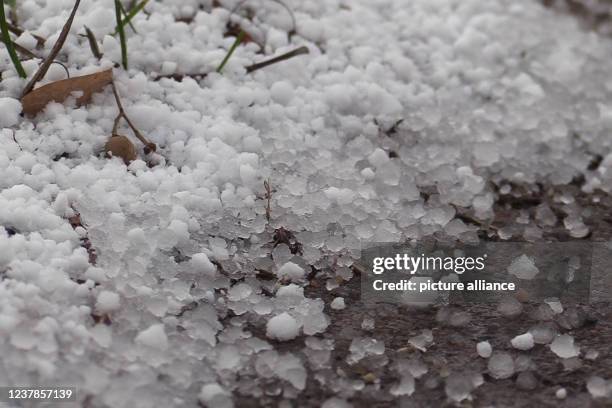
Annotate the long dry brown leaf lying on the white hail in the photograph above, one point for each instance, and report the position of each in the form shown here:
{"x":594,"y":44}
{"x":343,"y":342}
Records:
{"x":58,"y":91}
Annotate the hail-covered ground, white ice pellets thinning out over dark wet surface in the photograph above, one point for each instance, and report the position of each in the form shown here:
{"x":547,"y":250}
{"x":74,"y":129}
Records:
{"x":408,"y":119}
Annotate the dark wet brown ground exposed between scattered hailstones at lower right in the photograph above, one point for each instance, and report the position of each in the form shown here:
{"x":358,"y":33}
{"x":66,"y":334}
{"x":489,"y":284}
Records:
{"x":454,"y":348}
